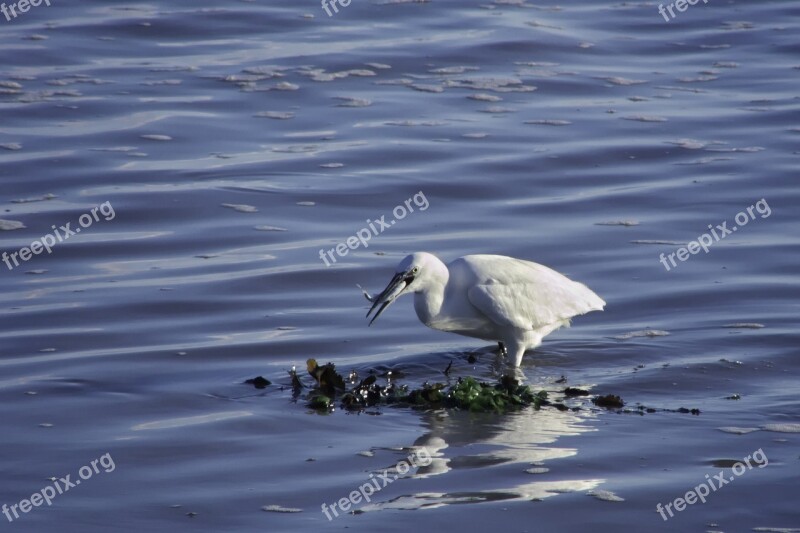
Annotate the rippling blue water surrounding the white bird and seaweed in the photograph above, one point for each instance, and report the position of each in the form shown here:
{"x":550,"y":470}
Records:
{"x":235,"y":142}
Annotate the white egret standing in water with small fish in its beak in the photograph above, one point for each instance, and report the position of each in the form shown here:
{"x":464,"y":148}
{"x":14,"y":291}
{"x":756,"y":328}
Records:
{"x":490,"y":297}
